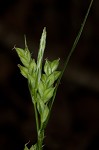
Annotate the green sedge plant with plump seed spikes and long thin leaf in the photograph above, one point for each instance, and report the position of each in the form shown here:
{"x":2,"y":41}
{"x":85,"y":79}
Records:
{"x":43,"y":81}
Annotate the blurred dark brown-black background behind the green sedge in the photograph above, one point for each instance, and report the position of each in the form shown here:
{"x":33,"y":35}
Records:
{"x":74,"y":122}
